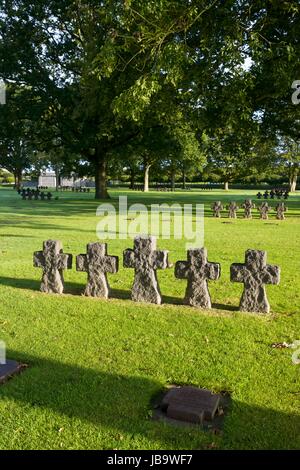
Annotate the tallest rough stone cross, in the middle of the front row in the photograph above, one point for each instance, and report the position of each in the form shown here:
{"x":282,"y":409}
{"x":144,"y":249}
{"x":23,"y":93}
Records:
{"x":145,"y":260}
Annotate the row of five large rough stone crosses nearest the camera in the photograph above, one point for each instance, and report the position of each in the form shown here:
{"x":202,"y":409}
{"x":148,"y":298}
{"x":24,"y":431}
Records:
{"x":145,"y":259}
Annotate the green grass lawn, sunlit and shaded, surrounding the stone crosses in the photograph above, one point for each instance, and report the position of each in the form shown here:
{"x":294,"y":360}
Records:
{"x":94,"y":366}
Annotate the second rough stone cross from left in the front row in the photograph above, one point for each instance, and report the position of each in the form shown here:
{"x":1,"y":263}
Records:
{"x":97,"y":263}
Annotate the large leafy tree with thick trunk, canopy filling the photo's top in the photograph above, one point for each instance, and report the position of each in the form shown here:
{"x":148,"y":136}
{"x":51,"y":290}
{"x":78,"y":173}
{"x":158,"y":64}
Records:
{"x":97,"y":69}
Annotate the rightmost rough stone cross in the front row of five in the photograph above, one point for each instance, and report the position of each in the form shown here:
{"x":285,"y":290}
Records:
{"x":254,"y":274}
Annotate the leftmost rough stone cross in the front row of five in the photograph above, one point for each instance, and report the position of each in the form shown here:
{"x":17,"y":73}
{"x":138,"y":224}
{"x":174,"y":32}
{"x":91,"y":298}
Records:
{"x":53,"y":261}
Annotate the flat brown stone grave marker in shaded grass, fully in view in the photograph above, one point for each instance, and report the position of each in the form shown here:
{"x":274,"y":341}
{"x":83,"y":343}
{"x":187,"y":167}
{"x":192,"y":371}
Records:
{"x":190,"y":404}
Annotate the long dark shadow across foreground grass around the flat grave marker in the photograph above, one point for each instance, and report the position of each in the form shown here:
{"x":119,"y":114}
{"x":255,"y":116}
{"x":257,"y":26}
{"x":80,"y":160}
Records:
{"x":122,"y":403}
